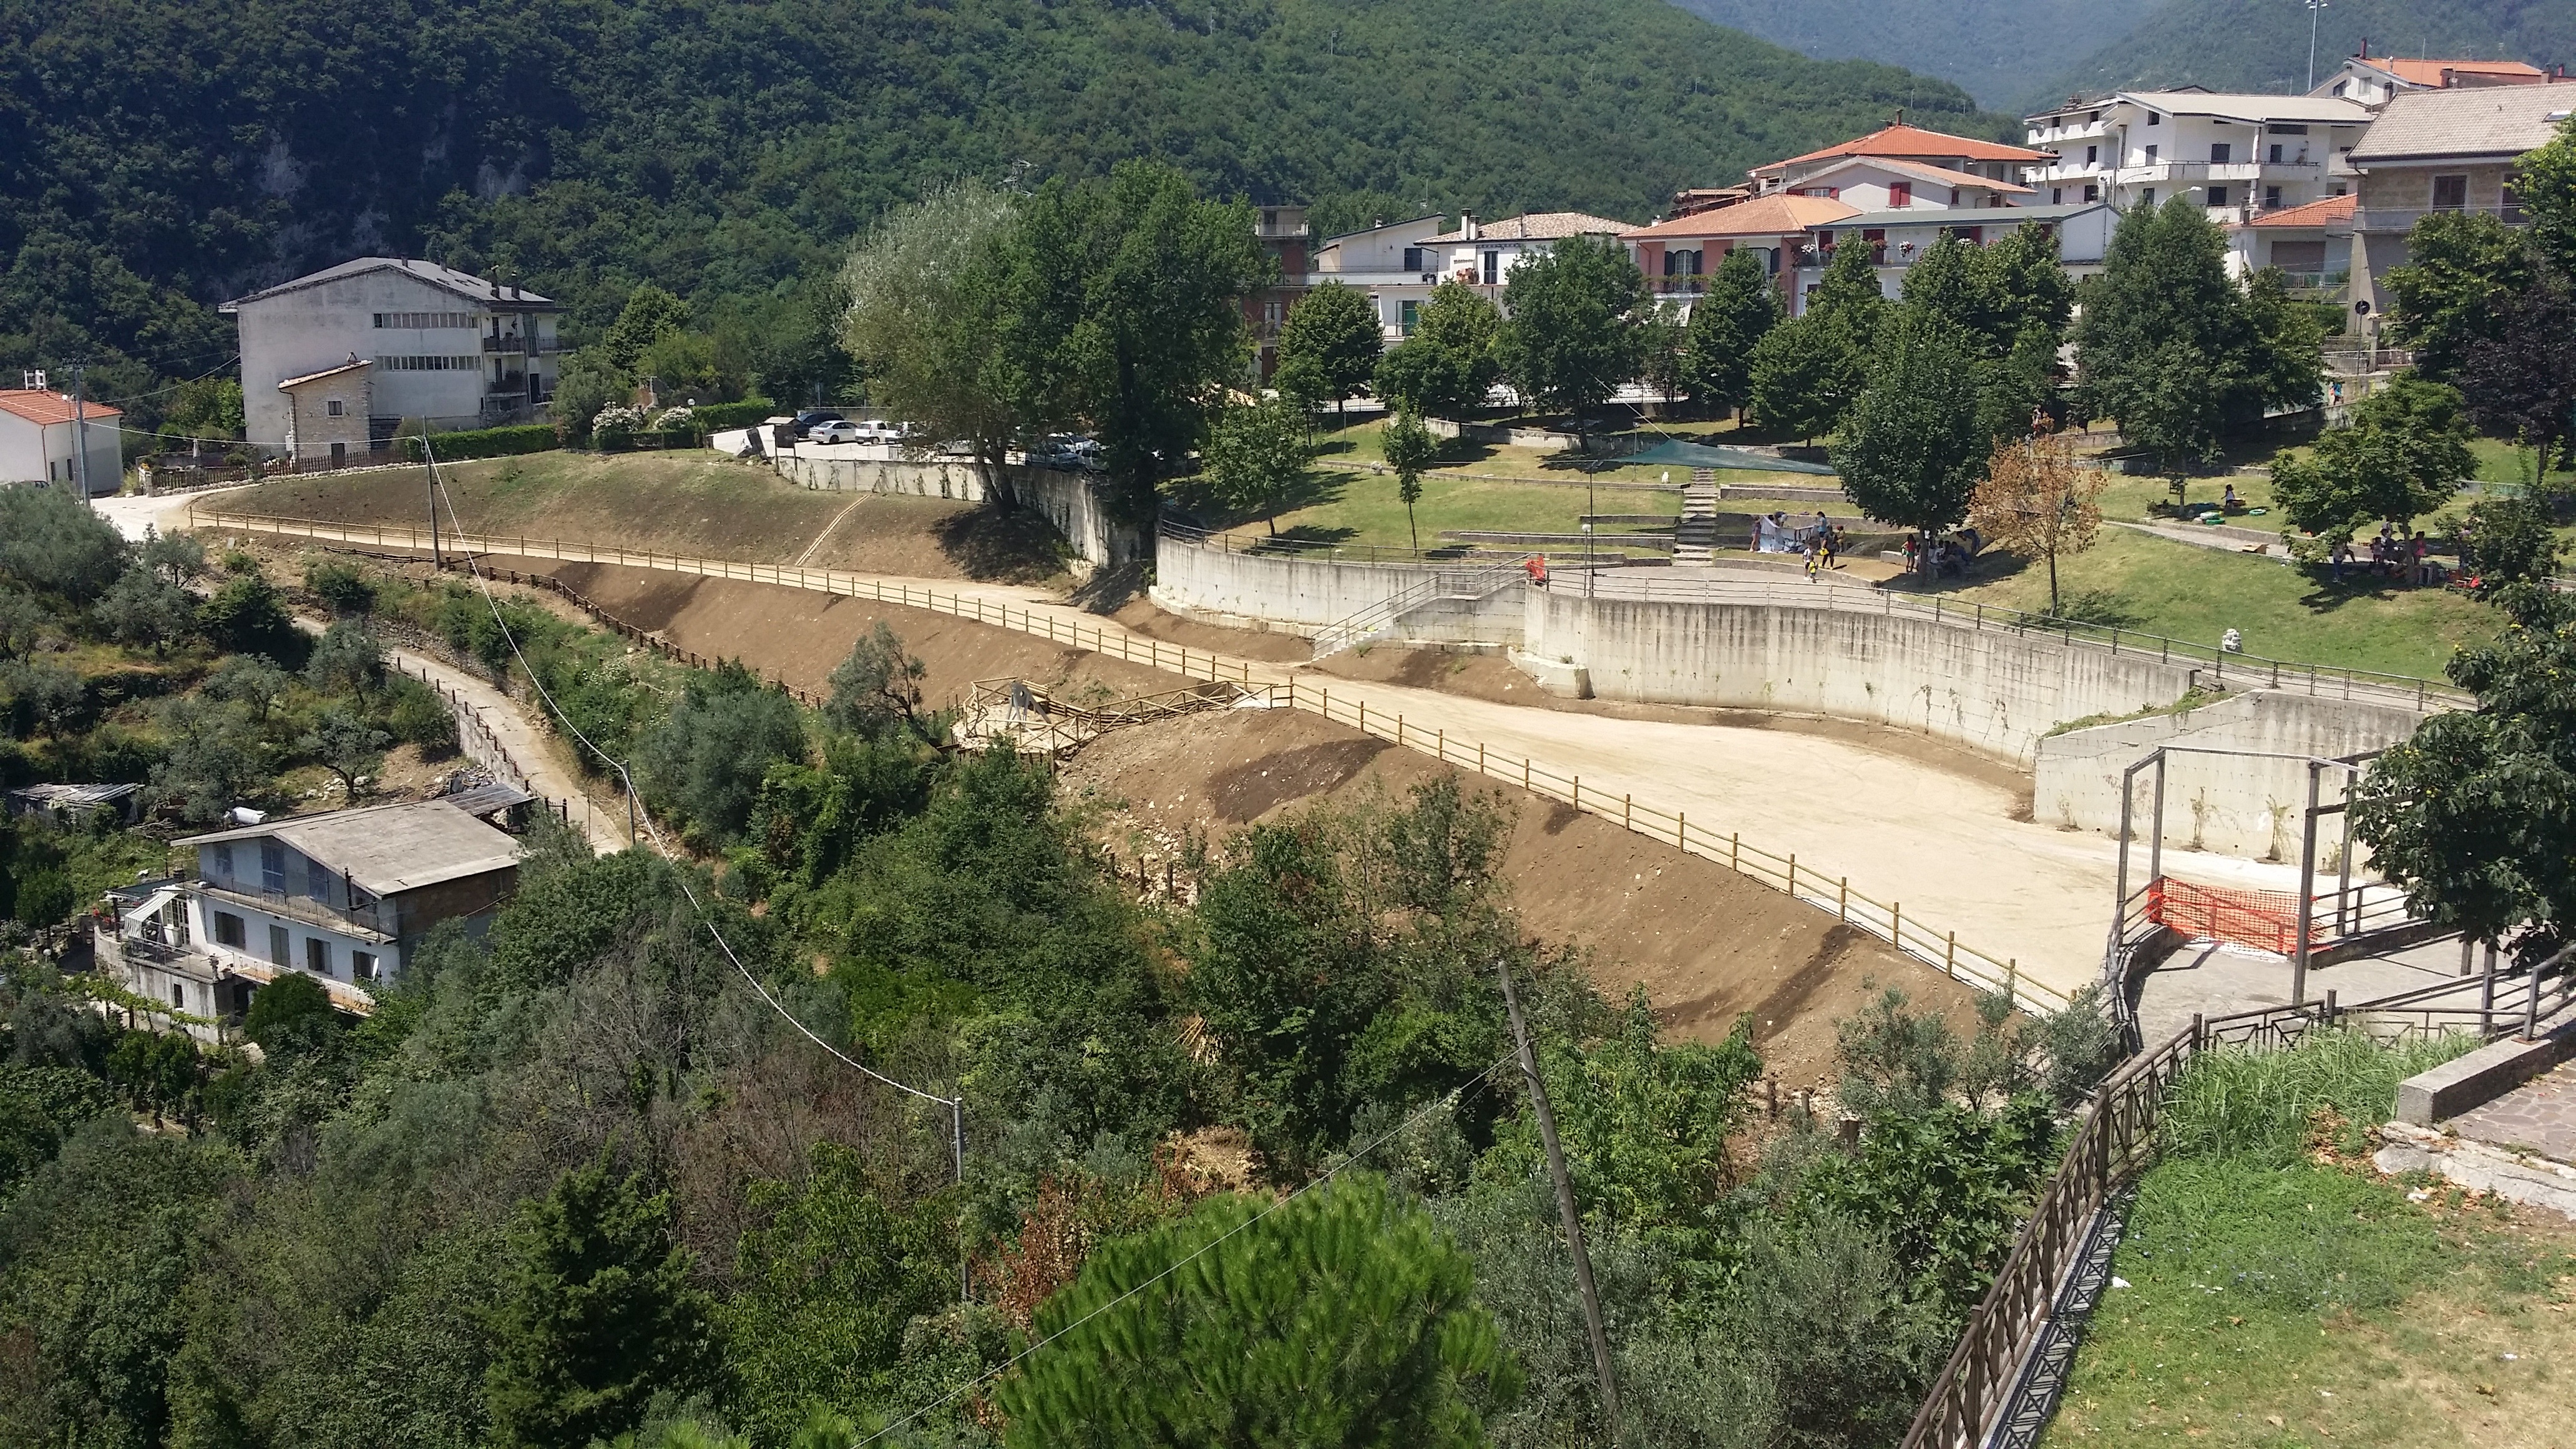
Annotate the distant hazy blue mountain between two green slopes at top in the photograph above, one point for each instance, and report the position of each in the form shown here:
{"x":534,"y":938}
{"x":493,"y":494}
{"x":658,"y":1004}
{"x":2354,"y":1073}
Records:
{"x":1995,"y":48}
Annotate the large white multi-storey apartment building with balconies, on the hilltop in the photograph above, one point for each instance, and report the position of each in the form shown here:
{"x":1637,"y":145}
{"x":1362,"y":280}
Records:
{"x":2240,"y":156}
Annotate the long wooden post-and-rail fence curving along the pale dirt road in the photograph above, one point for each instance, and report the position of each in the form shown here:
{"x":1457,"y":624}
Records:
{"x":1833,"y":893}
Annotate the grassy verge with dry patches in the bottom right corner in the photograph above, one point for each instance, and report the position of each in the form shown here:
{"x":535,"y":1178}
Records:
{"x":2286,"y":1296}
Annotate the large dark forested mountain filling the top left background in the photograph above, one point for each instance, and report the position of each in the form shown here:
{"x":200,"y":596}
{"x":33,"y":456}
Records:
{"x":158,"y":156}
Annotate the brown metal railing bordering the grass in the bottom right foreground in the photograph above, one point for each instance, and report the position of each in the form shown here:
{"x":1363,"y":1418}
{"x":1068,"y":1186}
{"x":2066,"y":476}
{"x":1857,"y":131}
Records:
{"x":1985,"y":1376}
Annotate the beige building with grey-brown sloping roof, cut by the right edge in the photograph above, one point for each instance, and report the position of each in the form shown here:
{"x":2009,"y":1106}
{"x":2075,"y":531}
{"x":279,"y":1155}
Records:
{"x":2443,"y":151}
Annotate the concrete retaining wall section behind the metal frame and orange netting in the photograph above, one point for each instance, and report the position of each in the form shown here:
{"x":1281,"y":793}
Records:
{"x":2222,"y":803}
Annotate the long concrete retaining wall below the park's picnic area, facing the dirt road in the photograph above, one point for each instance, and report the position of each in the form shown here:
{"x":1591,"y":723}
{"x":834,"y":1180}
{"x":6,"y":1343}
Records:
{"x":1993,"y":690}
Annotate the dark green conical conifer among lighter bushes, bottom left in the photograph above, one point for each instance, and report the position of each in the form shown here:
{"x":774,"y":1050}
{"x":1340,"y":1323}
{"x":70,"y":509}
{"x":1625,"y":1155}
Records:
{"x":599,"y":1316}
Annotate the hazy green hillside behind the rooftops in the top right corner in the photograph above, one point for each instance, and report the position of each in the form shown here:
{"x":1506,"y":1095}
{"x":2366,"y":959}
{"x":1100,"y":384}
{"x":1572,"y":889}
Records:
{"x":2263,"y":45}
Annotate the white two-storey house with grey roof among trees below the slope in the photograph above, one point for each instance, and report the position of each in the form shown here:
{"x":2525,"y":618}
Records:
{"x":341,"y":896}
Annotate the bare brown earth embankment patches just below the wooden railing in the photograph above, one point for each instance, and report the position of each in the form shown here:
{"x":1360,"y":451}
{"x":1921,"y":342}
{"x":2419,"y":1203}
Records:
{"x":1704,"y":942}
